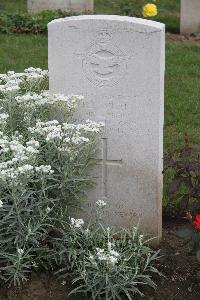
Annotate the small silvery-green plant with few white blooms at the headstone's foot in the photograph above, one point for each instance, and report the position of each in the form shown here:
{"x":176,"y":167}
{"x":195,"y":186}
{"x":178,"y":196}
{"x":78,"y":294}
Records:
{"x":105,"y":264}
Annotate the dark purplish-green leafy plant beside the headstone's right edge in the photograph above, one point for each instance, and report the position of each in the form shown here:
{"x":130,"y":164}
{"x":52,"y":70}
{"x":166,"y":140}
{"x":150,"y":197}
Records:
{"x":184,"y":183}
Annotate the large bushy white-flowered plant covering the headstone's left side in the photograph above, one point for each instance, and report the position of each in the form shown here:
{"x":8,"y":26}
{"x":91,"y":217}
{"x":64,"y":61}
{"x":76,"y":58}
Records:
{"x":44,"y":168}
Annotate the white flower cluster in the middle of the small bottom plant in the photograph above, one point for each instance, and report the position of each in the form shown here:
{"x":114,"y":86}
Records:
{"x":110,"y":256}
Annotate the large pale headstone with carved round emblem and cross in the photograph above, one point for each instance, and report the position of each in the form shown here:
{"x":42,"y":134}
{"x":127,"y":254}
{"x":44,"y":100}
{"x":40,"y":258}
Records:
{"x":117,"y":63}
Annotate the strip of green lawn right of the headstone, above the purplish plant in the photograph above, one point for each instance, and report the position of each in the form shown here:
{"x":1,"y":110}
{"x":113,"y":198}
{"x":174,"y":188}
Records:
{"x":182,"y":93}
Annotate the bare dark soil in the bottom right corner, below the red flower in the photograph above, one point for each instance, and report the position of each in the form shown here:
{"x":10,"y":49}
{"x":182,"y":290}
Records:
{"x":179,"y":266}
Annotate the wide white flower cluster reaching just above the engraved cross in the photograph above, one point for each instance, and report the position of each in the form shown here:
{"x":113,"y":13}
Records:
{"x":67,"y":134}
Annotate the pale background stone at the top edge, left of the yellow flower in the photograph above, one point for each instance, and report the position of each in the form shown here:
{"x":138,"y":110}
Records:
{"x":35,"y":6}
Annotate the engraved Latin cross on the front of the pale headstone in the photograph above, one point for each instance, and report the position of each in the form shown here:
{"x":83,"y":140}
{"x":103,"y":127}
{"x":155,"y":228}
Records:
{"x":105,"y":162}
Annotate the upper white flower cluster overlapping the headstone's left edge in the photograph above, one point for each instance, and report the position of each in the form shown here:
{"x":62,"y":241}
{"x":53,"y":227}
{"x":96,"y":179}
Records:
{"x":46,"y":98}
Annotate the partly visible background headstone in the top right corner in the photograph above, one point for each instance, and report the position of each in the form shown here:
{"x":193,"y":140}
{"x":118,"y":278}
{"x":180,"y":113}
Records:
{"x":190,"y":16}
